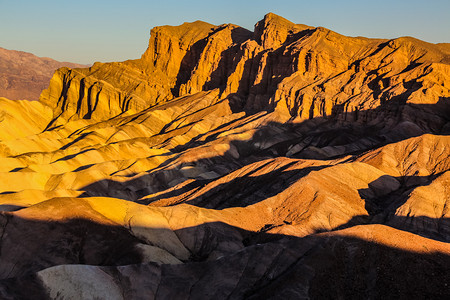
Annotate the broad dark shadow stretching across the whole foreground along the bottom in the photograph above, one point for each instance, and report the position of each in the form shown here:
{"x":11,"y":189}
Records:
{"x":226,"y":262}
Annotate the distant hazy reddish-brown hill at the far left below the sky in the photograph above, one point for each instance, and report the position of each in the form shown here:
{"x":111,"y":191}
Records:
{"x":24,"y":75}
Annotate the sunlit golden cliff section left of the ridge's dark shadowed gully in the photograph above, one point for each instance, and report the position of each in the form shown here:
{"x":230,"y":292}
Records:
{"x":107,"y":90}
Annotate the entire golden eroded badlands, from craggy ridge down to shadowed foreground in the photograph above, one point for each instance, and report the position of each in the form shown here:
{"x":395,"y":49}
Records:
{"x":288,"y":162}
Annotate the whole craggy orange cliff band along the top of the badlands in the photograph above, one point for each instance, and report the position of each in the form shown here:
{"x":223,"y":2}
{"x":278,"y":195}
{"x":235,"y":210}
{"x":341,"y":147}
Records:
{"x":300,"y":71}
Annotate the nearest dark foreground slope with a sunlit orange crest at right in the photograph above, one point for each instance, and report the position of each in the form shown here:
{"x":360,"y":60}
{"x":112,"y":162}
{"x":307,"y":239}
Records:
{"x":400,"y":264}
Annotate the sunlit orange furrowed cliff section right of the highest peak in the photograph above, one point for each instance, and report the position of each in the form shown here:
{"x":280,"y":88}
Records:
{"x":338,"y":75}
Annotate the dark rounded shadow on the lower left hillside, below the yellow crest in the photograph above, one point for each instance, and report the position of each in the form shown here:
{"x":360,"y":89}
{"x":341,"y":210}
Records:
{"x":29,"y":245}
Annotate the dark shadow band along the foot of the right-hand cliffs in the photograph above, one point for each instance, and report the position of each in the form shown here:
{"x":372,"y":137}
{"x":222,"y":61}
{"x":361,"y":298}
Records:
{"x":358,"y":131}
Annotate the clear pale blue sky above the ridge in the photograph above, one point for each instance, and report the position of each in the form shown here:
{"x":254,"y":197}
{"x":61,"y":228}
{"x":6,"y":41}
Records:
{"x":88,"y":31}
